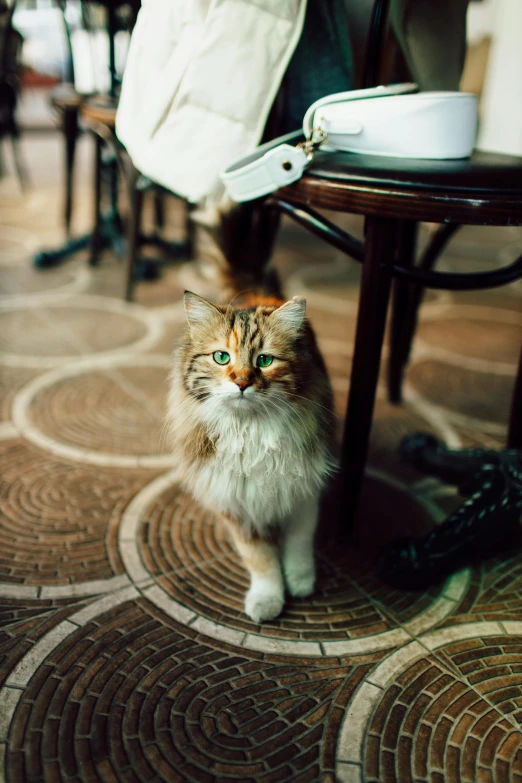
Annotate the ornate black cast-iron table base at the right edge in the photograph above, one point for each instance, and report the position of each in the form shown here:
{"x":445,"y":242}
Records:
{"x":489,"y":518}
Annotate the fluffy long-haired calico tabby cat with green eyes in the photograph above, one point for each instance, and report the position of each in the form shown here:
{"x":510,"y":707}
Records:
{"x":250,"y":414}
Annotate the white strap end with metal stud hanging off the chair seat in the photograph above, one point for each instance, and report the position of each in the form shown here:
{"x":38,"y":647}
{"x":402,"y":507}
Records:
{"x":271,"y":166}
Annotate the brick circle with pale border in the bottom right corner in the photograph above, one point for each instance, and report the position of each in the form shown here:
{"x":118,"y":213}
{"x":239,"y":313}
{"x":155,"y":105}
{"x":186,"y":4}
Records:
{"x":452,"y":715}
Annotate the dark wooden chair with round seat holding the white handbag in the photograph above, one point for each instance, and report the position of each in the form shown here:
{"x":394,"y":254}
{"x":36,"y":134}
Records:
{"x":394,"y":196}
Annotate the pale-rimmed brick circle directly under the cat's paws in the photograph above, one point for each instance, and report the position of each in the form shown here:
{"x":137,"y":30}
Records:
{"x":201,"y":578}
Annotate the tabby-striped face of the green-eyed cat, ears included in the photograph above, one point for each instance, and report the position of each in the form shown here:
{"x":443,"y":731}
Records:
{"x":244,"y":359}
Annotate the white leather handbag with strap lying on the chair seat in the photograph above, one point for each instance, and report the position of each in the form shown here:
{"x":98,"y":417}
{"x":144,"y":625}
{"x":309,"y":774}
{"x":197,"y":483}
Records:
{"x":396,"y":121}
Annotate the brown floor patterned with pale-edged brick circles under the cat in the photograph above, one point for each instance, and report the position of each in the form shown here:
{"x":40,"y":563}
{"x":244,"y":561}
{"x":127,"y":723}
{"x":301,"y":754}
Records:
{"x":124,"y":651}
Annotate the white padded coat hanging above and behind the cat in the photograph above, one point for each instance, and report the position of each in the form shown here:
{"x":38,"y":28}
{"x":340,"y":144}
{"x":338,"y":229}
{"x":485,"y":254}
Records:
{"x":200,"y":79}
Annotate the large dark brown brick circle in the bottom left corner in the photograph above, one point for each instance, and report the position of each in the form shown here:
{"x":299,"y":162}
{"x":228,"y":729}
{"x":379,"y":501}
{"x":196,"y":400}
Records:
{"x":150,"y":701}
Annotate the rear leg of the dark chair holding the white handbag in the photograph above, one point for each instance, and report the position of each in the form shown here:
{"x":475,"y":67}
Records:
{"x":406,"y":247}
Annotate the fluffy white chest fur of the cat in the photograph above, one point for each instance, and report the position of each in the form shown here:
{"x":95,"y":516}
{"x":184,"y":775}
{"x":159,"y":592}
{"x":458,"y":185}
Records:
{"x":261,"y":468}
